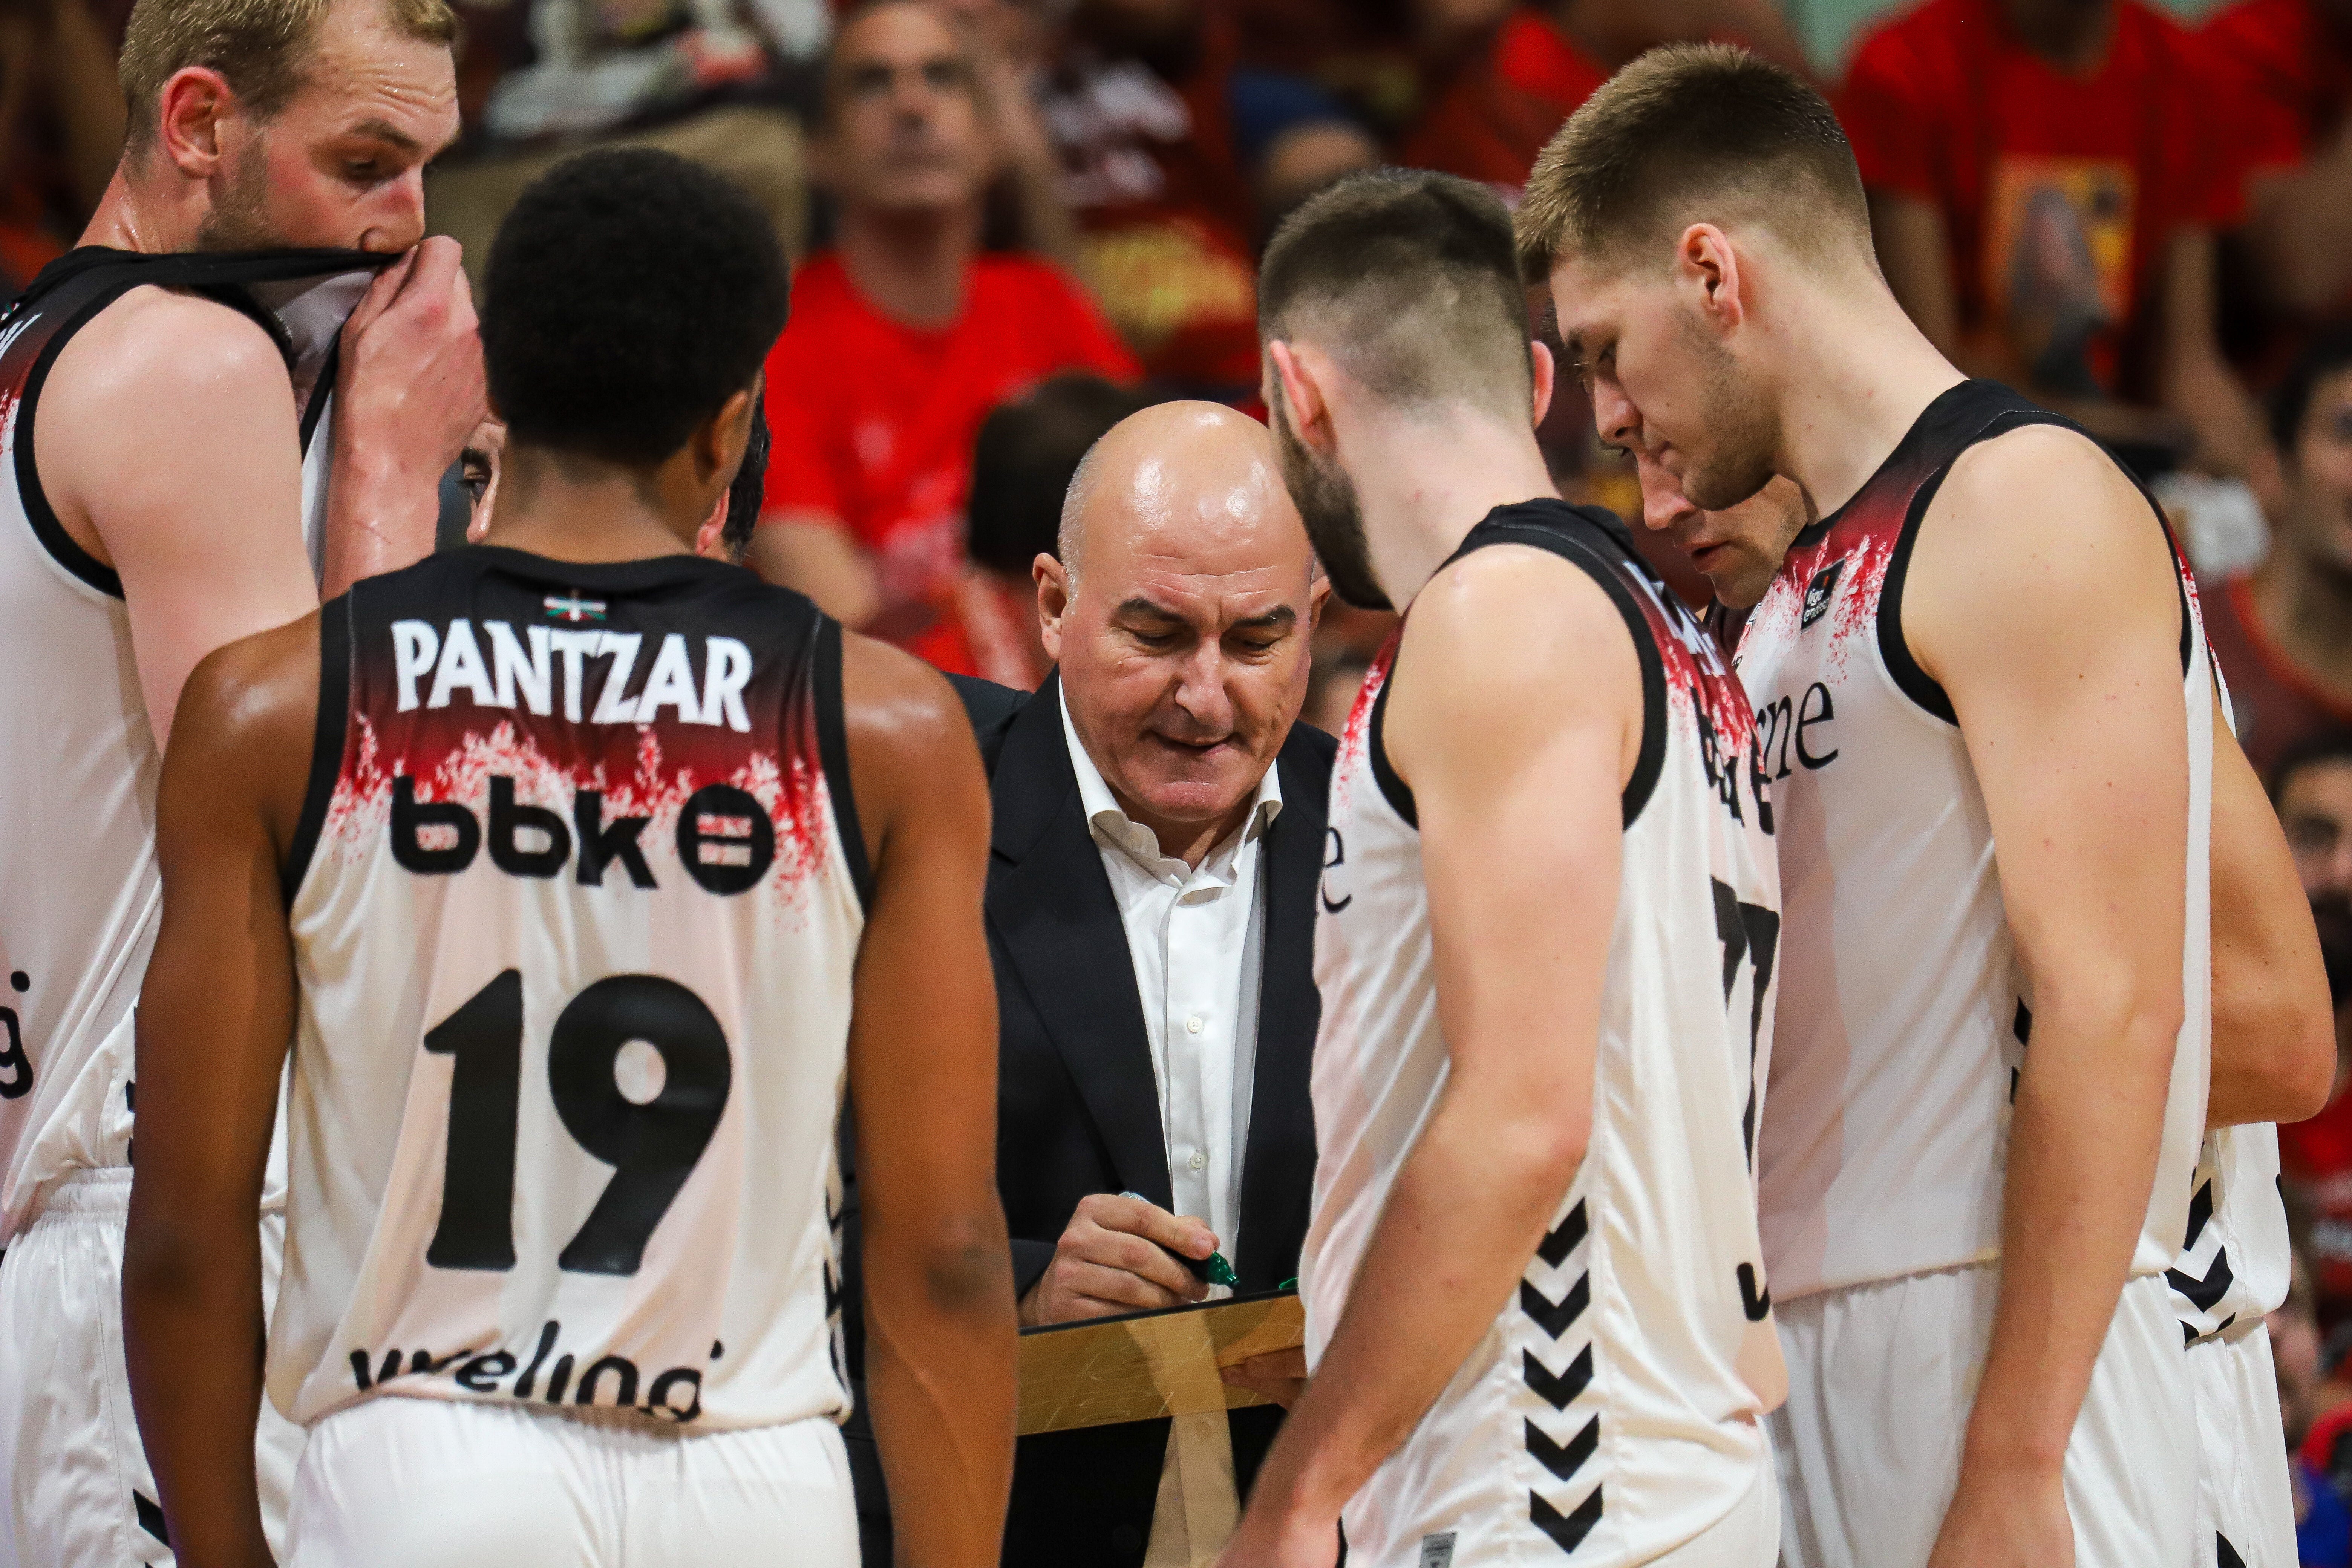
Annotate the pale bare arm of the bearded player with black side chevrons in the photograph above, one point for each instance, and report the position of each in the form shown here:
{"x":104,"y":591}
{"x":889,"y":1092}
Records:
{"x":1516,"y":718}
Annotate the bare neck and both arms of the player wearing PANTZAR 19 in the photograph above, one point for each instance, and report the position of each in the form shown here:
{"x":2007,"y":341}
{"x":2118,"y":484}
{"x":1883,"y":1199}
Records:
{"x":222,"y":993}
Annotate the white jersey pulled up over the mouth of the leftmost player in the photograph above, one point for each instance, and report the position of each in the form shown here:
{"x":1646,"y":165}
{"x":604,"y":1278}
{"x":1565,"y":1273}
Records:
{"x":79,"y":883}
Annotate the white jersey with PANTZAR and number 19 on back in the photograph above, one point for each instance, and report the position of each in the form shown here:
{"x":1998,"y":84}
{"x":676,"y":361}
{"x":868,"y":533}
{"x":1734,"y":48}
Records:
{"x":575,"y":920}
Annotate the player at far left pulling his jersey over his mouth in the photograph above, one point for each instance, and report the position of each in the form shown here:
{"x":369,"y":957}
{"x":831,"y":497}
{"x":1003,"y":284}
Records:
{"x":168,"y":436}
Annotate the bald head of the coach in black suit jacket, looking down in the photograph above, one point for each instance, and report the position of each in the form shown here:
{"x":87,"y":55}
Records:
{"x":1180,"y":612}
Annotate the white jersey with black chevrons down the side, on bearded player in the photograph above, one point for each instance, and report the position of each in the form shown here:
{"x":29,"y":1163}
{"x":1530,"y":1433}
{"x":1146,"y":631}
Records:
{"x":1615,"y":1407}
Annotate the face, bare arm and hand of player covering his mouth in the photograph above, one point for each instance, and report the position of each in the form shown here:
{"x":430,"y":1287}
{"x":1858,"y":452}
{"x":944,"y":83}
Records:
{"x":206,"y":528}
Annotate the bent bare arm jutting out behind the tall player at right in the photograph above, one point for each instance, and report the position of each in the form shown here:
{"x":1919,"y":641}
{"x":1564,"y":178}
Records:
{"x":2273,"y":1028}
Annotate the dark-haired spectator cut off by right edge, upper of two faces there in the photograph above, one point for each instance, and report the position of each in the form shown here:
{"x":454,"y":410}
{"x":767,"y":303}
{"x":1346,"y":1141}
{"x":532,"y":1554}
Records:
{"x":2283,"y":631}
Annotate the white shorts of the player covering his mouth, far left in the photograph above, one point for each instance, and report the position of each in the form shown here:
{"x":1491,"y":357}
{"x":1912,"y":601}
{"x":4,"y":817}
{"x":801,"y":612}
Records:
{"x":79,"y":1489}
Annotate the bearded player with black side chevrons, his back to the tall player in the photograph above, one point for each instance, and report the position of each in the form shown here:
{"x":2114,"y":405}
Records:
{"x":1535,"y":1285}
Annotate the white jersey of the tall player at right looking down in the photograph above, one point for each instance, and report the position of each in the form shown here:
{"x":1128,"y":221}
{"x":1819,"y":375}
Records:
{"x":1904,"y":1010}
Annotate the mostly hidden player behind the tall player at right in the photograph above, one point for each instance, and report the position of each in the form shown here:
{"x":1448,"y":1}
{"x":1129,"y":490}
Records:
{"x":2273,"y":1061}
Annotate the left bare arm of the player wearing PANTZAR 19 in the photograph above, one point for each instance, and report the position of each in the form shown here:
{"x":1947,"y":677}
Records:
{"x":215,"y":1021}
